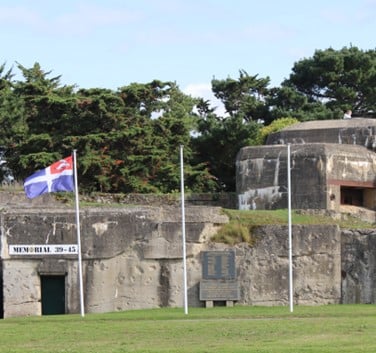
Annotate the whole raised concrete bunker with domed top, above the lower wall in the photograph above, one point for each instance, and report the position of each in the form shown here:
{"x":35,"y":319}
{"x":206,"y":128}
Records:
{"x":332,"y":164}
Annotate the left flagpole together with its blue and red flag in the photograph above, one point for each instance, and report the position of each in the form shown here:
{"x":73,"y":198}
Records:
{"x":59,"y":176}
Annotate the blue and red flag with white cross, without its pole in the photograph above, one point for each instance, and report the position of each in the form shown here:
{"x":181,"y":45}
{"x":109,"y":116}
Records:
{"x":56,"y":177}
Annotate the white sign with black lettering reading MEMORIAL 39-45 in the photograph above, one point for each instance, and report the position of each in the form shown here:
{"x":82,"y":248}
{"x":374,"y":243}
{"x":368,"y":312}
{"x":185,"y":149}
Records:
{"x":60,"y":249}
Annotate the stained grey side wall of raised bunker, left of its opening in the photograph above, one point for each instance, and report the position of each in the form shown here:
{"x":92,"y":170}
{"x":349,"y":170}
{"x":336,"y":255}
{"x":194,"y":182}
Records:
{"x":261,"y":177}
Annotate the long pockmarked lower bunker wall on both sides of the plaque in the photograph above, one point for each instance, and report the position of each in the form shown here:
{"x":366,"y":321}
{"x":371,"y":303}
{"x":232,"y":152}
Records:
{"x":132,"y":259}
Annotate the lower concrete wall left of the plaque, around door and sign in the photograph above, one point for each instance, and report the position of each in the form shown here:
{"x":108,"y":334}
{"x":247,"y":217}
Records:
{"x":132,"y":257}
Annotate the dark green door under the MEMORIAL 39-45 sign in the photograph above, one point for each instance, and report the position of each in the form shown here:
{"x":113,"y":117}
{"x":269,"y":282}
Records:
{"x":53,"y":295}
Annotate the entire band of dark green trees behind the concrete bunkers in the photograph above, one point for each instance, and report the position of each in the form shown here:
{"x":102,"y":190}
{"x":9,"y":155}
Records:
{"x":128,"y":140}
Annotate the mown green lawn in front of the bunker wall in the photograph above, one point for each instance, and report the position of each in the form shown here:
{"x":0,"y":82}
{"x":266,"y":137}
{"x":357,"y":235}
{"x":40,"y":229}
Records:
{"x":330,"y":328}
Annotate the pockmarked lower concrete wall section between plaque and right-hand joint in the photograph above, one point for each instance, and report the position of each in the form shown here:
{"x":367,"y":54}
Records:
{"x":264,"y":269}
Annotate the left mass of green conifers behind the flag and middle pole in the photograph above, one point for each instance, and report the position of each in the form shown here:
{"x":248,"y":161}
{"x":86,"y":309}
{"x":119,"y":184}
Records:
{"x":126,"y":140}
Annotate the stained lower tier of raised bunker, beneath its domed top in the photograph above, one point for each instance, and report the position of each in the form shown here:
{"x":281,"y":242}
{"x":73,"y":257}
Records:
{"x":317,"y":173}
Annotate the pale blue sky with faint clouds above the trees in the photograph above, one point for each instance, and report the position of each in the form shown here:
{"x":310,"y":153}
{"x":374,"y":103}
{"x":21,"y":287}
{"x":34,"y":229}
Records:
{"x":112,"y":43}
